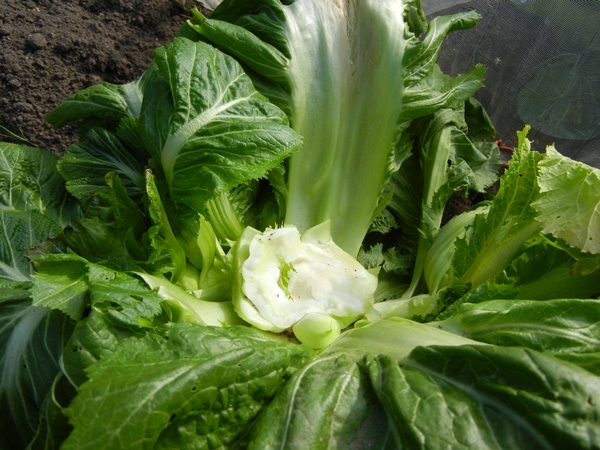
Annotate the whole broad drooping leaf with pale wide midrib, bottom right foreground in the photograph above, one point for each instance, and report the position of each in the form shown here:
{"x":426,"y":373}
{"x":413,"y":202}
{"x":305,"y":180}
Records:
{"x":438,"y":390}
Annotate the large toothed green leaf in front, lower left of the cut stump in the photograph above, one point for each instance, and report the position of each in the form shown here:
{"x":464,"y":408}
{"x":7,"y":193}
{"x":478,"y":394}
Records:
{"x":197,"y":387}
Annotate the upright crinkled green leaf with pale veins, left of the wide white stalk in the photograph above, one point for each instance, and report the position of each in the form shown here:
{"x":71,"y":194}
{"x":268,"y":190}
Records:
{"x":208,"y":126}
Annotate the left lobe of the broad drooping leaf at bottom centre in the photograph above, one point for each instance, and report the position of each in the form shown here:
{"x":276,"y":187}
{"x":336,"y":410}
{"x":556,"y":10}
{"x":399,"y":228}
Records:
{"x":328,"y":404}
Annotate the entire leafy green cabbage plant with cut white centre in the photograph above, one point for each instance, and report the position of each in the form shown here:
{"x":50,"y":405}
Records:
{"x":247,"y":248}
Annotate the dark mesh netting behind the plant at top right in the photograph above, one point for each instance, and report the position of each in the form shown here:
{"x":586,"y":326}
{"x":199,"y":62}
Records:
{"x":543,"y":59}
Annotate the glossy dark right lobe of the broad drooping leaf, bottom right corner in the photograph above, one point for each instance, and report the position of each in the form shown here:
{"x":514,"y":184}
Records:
{"x":487,"y":397}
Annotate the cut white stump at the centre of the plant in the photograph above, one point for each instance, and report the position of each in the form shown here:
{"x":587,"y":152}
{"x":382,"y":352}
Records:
{"x":285,"y":277}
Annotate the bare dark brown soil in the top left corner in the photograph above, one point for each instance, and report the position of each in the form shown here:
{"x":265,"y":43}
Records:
{"x":51,"y":49}
